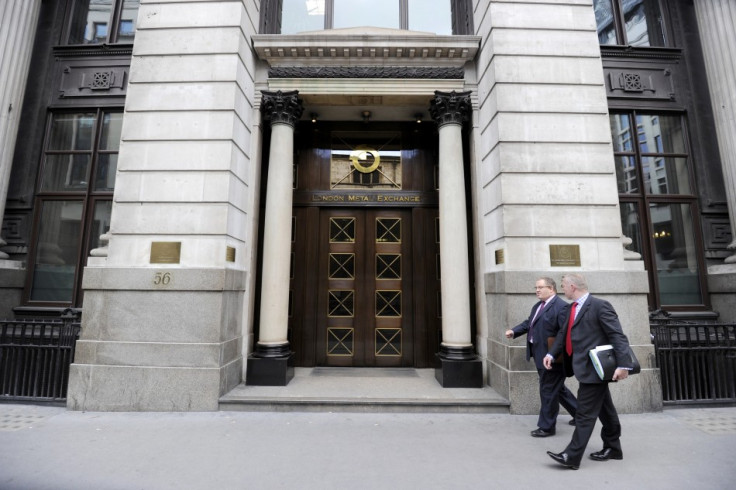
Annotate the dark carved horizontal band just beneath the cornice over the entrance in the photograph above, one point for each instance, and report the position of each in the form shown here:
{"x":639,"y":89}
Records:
{"x":401,"y":72}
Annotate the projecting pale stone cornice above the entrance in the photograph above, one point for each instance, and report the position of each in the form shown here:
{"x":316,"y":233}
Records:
{"x":366,"y":47}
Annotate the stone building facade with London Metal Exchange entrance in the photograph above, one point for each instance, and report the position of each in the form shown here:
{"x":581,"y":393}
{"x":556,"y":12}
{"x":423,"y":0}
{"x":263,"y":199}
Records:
{"x":230,"y":188}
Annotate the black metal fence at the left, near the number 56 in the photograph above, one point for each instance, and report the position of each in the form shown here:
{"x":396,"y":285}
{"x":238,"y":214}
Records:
{"x":35,"y":356}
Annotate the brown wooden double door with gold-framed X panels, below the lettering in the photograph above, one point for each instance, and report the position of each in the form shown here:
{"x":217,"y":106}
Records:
{"x":365,"y":288}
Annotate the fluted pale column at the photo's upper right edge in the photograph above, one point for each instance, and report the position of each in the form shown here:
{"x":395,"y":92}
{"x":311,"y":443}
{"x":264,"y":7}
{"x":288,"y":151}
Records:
{"x":716,"y":20}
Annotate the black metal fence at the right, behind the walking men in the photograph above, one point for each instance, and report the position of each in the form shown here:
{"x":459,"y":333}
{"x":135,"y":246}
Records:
{"x":697,"y":361}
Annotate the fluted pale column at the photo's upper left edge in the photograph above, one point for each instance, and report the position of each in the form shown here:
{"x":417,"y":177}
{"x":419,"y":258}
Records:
{"x":17,"y":32}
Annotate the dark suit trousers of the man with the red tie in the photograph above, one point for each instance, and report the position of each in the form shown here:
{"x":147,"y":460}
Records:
{"x":594,"y":401}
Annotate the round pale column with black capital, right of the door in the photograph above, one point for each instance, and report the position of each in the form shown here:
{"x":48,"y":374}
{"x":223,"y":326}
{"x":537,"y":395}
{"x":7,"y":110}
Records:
{"x":459,"y":366}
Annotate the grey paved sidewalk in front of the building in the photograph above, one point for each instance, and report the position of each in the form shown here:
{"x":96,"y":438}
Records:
{"x":45,"y":447}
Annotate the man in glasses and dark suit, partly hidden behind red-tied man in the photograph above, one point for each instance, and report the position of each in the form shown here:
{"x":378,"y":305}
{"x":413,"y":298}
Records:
{"x":541,"y":325}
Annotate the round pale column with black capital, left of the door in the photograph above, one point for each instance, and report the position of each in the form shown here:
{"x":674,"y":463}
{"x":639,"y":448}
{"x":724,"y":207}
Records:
{"x":272,"y":363}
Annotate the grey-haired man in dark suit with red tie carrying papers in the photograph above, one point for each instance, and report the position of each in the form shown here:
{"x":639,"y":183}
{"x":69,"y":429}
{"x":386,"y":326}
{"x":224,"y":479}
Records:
{"x":590,"y":322}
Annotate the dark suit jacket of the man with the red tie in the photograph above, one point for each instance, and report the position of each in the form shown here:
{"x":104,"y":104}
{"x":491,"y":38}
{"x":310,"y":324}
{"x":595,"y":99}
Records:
{"x":596,"y":324}
